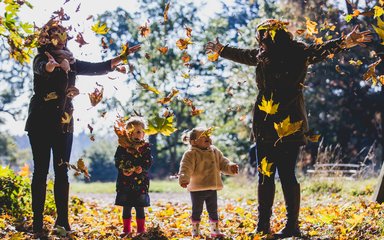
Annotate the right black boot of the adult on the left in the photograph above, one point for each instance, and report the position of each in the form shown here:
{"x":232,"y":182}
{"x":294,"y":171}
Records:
{"x":61,"y":192}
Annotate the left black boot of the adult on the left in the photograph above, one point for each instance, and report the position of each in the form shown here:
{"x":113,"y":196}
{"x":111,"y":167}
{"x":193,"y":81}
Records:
{"x":38,"y":191}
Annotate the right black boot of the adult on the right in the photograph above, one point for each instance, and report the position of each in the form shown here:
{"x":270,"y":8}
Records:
{"x":292,"y":203}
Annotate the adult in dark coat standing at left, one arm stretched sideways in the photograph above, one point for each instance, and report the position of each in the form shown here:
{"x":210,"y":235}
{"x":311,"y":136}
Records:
{"x":50,"y":122}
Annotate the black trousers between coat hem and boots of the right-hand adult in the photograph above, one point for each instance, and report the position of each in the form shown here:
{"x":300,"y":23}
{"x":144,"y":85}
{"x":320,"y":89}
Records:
{"x":284,"y":157}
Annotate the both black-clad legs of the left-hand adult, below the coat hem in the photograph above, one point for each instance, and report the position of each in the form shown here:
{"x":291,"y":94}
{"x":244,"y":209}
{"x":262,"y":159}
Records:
{"x":42,"y":143}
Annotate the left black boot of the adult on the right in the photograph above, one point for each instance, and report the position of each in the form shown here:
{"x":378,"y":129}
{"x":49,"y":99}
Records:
{"x":266,"y":195}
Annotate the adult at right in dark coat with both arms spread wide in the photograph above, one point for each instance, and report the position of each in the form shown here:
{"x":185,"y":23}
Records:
{"x":281,"y":67}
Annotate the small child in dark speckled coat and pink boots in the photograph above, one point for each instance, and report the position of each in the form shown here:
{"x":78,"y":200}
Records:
{"x":133,"y":160}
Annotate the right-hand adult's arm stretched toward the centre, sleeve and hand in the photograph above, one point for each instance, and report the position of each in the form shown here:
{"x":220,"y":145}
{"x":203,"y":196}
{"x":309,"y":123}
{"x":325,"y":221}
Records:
{"x":244,"y":56}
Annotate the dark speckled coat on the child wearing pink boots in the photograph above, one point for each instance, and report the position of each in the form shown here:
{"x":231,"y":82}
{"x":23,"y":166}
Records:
{"x":133,"y":190}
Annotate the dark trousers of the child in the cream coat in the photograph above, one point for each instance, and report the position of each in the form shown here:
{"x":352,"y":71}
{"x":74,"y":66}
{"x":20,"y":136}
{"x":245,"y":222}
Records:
{"x":210,"y":198}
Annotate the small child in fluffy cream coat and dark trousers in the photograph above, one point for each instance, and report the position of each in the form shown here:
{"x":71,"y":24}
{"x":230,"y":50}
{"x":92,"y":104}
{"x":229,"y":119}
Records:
{"x":200,"y":172}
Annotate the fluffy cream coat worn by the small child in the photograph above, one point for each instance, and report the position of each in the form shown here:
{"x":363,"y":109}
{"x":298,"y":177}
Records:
{"x":201,"y":169}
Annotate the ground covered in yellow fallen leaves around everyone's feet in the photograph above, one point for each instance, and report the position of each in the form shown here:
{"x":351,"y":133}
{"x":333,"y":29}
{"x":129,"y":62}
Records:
{"x":324,"y":215}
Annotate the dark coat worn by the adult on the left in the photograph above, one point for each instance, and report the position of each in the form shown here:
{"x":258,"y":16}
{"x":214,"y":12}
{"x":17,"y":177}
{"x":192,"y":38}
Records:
{"x":45,"y":112}
